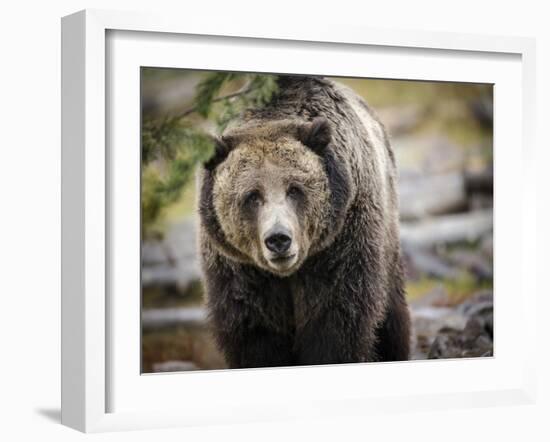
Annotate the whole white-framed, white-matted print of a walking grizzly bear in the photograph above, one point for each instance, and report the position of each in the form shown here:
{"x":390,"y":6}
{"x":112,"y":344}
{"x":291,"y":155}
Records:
{"x":280,"y":222}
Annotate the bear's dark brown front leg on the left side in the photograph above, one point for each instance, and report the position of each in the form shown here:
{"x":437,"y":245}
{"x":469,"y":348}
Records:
{"x":251,"y":318}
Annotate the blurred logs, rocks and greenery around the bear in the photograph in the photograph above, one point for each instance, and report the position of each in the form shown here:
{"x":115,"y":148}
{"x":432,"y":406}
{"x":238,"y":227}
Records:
{"x":443,"y":139}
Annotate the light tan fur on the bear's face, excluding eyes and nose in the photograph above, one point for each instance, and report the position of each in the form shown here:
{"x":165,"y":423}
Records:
{"x":271,"y":166}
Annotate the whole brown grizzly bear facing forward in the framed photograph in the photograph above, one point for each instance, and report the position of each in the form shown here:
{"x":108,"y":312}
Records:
{"x":299,"y":233}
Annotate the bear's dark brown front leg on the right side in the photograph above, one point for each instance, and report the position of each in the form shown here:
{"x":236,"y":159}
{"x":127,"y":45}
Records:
{"x":338,"y":308}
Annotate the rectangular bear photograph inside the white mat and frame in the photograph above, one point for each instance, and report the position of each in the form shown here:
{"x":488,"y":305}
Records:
{"x":300,"y":220}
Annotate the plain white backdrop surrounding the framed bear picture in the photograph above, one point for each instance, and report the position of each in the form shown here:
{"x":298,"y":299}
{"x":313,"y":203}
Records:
{"x":30,"y":221}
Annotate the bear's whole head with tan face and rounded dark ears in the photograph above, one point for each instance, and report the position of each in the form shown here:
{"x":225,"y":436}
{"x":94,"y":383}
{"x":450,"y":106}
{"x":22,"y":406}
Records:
{"x":272,"y":193}
